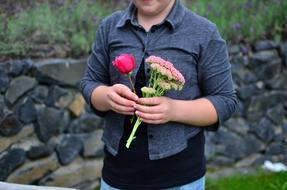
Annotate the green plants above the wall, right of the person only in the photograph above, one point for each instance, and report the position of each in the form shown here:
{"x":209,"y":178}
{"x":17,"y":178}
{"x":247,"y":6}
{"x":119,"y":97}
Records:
{"x":245,"y":20}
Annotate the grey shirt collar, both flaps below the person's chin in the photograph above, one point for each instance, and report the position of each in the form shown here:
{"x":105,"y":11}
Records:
{"x":174,"y":18}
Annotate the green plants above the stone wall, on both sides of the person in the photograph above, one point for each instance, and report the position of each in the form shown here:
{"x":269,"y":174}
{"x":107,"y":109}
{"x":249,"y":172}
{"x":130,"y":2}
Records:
{"x":40,"y":28}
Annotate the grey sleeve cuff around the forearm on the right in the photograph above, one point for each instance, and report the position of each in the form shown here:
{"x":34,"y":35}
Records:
{"x":218,"y":107}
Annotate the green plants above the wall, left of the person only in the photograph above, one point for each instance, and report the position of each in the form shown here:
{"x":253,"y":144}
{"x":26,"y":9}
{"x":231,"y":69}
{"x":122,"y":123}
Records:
{"x":71,"y":26}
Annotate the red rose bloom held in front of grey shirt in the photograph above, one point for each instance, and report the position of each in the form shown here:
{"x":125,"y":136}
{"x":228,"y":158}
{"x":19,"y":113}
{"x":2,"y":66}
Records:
{"x":125,"y":63}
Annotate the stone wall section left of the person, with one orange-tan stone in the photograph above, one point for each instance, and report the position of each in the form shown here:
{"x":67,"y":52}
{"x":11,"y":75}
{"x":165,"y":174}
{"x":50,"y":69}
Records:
{"x":48,"y":135}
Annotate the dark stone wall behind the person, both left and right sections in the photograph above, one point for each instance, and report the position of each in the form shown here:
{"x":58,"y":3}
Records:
{"x":48,"y":136}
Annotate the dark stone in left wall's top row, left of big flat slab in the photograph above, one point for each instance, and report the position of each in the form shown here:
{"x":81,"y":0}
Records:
{"x":17,"y":67}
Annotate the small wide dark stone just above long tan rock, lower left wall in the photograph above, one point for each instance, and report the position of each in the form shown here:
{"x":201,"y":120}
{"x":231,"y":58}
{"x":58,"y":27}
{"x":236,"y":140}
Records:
{"x":40,"y":151}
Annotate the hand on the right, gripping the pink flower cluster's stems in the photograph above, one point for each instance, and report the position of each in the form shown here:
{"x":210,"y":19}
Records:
{"x":155,"y":110}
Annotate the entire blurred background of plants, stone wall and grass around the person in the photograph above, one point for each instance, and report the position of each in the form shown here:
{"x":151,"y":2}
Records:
{"x":48,"y":135}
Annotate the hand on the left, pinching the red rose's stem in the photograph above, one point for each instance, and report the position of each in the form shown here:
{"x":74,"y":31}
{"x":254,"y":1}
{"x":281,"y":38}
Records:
{"x":121,"y":99}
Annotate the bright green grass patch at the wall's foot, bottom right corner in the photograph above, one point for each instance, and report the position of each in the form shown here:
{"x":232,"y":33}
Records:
{"x":260,"y":181}
